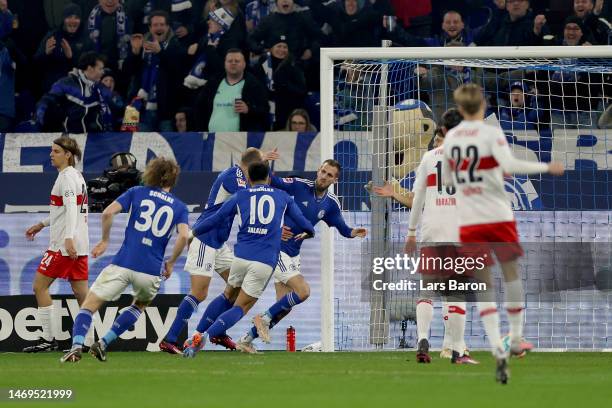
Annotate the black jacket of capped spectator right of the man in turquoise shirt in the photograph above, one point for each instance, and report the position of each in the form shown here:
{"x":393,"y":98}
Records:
{"x":289,"y":87}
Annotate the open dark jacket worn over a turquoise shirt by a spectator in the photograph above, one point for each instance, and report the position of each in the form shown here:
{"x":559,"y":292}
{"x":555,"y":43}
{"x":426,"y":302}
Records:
{"x":254,"y":94}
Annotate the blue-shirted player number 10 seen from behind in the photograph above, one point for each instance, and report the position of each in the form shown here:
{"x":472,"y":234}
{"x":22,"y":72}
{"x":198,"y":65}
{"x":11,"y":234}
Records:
{"x":261,"y":210}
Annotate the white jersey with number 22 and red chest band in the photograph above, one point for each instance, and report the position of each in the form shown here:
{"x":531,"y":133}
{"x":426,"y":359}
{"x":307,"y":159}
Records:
{"x":476,"y":156}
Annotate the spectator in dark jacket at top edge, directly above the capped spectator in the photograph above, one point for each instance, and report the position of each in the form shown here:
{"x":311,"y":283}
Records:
{"x":301,"y":31}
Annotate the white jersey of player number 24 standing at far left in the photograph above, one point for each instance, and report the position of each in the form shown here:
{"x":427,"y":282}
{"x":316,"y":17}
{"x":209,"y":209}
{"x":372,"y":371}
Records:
{"x":68,"y":212}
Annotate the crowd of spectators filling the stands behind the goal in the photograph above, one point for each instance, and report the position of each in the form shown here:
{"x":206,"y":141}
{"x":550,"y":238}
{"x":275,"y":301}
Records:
{"x":246,"y":65}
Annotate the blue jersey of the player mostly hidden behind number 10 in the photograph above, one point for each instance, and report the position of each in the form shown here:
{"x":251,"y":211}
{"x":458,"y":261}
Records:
{"x":228,"y":182}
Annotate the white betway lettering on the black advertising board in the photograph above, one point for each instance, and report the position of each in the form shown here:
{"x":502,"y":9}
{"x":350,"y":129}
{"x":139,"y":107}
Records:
{"x":26,"y":325}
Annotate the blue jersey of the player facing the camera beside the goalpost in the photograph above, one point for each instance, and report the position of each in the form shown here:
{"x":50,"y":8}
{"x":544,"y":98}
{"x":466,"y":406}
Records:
{"x":326,"y":208}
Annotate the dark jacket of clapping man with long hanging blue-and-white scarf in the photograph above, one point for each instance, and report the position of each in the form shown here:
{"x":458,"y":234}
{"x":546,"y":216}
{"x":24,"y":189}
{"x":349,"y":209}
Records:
{"x":172,"y":70}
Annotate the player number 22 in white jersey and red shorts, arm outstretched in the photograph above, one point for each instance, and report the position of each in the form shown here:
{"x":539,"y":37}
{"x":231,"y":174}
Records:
{"x":476,"y":156}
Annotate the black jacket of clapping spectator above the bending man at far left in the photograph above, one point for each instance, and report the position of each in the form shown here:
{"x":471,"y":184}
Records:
{"x":57,"y":65}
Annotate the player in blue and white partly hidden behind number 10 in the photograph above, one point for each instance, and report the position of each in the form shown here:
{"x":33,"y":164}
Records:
{"x":209,"y":252}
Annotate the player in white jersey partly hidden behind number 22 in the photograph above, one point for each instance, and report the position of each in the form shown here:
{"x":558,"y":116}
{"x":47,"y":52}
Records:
{"x":436,"y":205}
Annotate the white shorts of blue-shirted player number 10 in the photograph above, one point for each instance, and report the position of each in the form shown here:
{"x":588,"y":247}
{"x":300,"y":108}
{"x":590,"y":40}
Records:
{"x":251,"y":276}
